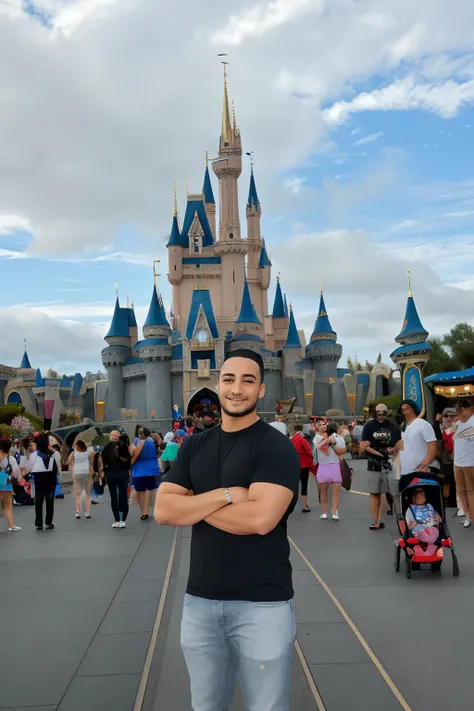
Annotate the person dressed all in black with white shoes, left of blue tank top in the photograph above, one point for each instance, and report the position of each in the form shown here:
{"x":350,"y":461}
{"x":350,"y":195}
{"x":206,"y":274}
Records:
{"x":116,"y":463}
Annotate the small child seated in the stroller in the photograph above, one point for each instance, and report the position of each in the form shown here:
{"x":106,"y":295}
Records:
{"x":423,"y":521}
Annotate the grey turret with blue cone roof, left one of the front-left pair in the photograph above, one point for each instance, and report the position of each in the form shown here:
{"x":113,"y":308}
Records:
{"x":118,"y":351}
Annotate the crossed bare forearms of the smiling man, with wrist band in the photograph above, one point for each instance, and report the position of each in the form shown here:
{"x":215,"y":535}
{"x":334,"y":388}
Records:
{"x":256,"y":510}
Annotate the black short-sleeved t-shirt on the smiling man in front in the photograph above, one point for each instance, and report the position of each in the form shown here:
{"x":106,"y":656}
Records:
{"x":225,"y":566}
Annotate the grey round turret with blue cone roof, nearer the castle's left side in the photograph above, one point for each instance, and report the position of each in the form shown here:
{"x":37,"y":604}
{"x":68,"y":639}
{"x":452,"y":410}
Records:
{"x":155,"y":351}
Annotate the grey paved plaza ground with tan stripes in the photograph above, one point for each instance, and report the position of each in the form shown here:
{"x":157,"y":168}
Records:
{"x":83,"y":626}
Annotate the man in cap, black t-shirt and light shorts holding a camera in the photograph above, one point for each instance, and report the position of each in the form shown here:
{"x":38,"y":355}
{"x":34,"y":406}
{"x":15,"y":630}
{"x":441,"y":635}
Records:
{"x":378,"y":480}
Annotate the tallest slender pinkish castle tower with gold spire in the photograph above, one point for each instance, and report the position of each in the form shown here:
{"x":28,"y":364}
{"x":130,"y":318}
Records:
{"x":231,"y":248}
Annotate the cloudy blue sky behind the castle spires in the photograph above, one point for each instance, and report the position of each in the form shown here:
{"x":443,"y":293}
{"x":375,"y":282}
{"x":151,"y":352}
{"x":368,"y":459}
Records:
{"x":360,"y":114}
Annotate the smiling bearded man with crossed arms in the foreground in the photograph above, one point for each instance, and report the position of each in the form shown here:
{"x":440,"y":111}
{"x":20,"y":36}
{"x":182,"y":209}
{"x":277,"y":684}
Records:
{"x":236,"y":485}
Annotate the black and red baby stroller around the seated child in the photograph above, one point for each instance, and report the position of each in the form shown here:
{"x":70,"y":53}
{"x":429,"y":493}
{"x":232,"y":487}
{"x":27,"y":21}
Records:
{"x":434,"y":496}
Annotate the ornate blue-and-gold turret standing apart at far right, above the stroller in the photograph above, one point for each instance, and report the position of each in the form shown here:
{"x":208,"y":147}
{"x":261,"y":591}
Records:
{"x":412,"y":354}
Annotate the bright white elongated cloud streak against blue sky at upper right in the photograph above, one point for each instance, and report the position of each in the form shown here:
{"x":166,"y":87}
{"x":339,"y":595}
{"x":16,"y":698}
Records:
{"x":406,"y":94}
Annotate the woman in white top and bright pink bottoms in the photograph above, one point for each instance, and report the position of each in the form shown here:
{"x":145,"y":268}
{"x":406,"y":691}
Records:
{"x":329,"y":470}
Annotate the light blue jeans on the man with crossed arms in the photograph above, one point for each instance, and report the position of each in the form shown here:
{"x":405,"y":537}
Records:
{"x":221,"y":639}
